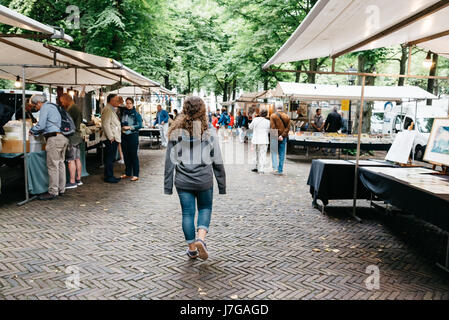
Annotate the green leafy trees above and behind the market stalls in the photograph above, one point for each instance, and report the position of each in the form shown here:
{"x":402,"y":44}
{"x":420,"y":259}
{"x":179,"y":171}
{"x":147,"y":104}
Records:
{"x":215,"y":45}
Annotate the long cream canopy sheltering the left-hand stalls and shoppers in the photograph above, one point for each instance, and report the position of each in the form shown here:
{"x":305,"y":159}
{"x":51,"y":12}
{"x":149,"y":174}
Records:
{"x":51,"y":65}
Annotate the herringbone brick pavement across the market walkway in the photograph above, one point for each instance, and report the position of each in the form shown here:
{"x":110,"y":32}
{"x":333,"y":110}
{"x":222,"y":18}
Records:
{"x":266,"y":242}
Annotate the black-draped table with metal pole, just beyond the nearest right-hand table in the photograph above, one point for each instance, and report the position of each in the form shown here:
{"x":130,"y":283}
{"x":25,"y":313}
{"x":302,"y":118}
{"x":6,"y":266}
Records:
{"x":334,"y":179}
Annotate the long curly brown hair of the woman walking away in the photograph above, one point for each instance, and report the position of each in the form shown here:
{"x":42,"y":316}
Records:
{"x":193,"y":113}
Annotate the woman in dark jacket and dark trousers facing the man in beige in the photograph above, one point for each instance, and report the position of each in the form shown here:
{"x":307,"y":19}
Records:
{"x":131,"y":124}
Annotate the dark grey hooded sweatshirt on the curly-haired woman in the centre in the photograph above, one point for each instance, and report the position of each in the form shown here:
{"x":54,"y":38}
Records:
{"x":196,"y":161}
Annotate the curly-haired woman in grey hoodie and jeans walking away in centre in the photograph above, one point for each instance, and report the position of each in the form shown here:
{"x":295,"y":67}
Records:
{"x":194,"y":153}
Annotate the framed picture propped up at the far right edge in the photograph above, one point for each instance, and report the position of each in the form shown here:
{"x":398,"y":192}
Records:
{"x":437,"y":151}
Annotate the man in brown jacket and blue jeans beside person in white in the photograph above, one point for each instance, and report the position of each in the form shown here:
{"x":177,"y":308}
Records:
{"x":280,"y":127}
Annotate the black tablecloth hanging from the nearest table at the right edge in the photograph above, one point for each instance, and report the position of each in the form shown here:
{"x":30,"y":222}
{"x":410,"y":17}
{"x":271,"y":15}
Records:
{"x":423,"y":204}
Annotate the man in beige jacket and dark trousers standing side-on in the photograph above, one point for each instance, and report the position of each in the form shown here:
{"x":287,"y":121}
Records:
{"x":111,"y":136}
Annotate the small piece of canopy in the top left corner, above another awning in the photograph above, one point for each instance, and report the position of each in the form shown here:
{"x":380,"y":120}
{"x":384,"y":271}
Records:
{"x":15,"y":19}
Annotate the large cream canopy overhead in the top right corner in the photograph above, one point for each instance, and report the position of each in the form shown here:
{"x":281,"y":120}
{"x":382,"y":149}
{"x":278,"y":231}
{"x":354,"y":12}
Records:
{"x":336,"y":27}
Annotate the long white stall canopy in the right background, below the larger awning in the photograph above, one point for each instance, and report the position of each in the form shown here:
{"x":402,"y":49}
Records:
{"x":306,"y":91}
